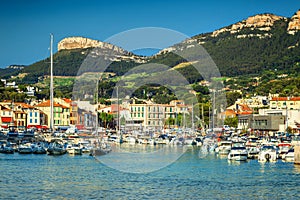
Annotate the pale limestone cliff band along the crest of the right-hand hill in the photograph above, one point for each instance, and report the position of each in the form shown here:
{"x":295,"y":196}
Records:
{"x":262,"y":22}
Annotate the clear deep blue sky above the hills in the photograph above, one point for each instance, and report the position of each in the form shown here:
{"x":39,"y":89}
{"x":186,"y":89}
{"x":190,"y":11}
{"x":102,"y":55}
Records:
{"x":26,"y":24}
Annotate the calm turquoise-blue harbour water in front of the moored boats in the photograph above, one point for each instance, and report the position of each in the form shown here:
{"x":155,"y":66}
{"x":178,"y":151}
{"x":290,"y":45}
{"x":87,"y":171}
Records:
{"x":190,"y":177}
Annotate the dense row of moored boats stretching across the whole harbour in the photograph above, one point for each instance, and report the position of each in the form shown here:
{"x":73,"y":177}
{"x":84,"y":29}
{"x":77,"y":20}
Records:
{"x":234,"y":147}
